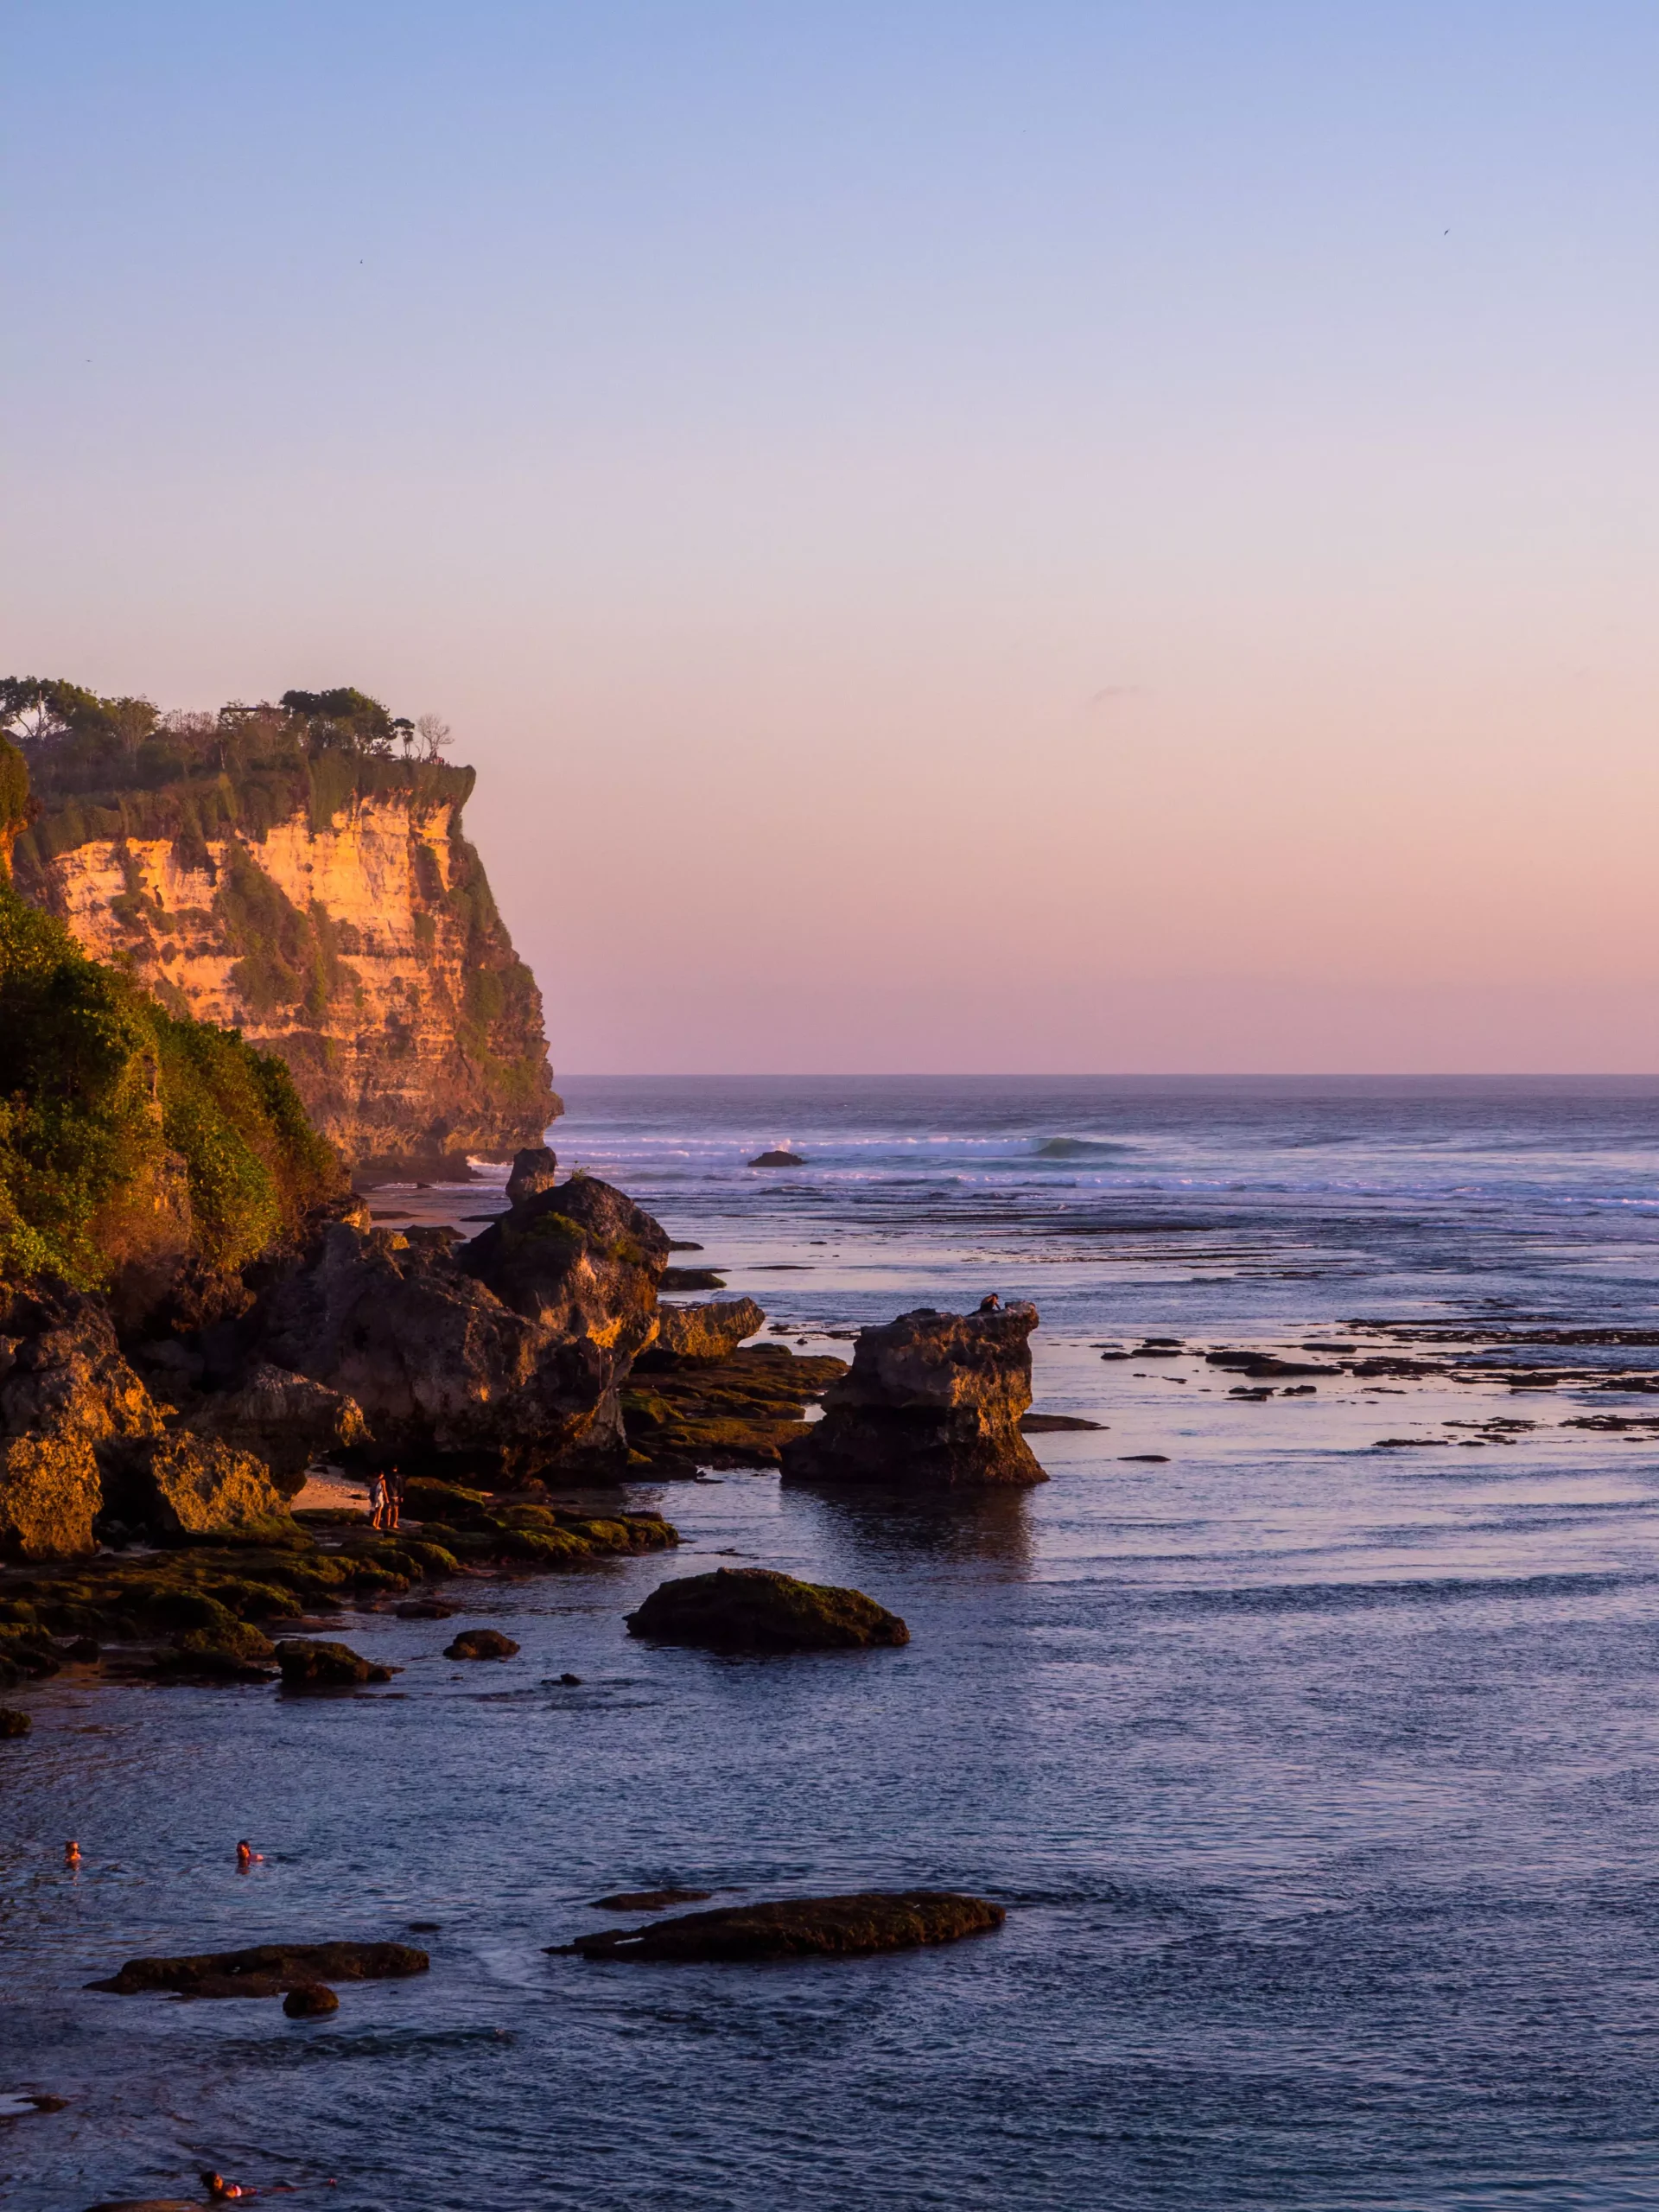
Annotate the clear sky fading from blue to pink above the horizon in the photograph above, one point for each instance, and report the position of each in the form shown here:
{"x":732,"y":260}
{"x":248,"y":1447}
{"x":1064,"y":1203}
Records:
{"x":959,"y":536}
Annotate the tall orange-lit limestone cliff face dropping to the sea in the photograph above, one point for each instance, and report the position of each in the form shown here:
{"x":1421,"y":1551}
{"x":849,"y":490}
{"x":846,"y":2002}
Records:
{"x":337,"y":917}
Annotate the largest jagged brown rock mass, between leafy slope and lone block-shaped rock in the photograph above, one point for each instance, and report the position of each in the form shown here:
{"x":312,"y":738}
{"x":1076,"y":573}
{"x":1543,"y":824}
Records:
{"x":505,"y":1357}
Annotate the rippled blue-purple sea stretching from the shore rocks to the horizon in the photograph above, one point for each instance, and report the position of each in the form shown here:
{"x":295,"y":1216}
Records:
{"x":1322,"y":1782}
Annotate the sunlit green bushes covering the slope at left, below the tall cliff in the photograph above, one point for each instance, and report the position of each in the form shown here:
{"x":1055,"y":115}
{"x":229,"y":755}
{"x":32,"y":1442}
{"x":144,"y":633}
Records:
{"x":132,"y":1138}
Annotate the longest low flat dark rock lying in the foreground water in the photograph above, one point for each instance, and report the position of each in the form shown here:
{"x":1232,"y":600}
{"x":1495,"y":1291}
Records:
{"x":802,"y":1928}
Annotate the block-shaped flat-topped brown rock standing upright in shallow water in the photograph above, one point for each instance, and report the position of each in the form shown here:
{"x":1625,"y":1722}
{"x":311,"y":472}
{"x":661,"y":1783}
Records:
{"x":932,"y":1401}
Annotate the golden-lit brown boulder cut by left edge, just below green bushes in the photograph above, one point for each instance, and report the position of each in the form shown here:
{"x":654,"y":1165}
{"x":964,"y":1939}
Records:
{"x":70,"y":1408}
